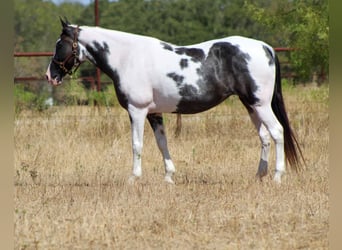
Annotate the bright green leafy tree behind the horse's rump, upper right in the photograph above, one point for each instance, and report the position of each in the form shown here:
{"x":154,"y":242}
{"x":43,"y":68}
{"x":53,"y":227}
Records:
{"x":303,"y":25}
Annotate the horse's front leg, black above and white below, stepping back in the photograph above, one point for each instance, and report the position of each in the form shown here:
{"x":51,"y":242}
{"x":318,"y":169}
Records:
{"x":156,"y":122}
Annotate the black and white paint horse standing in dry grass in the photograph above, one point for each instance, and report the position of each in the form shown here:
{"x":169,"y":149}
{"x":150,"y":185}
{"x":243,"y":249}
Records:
{"x":152,"y":77}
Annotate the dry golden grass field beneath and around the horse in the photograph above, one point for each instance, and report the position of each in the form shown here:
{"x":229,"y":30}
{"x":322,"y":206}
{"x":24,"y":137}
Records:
{"x":72,"y":165}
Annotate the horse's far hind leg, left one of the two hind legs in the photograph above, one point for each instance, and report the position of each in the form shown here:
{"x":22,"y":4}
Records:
{"x":265,"y":144}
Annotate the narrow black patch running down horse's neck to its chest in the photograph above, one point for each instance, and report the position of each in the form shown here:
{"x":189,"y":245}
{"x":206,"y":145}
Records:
{"x":100,"y":54}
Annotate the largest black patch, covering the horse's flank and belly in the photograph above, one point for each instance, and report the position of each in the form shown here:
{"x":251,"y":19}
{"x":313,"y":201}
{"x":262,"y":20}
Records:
{"x":224,"y":72}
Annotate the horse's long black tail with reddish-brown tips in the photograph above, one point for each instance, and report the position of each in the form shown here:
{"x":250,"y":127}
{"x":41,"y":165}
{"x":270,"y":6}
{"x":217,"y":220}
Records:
{"x":291,"y":145}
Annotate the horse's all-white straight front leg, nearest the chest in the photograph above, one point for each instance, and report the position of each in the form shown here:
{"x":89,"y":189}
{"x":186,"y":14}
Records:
{"x":137,"y":118}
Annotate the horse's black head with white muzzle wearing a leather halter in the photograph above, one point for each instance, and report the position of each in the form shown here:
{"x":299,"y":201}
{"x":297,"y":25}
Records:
{"x":67,"y":56}
